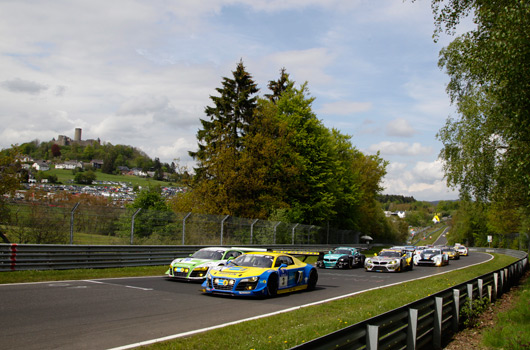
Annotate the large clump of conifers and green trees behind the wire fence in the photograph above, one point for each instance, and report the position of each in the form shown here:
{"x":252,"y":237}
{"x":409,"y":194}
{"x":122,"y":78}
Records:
{"x":270,"y":157}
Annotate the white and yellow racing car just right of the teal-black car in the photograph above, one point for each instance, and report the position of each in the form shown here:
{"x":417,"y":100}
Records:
{"x":390,"y":260}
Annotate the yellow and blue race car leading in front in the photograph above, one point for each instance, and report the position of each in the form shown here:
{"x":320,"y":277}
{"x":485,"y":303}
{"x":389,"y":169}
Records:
{"x":261,"y":274}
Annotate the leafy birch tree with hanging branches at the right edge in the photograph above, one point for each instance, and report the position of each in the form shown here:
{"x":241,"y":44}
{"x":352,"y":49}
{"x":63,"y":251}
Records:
{"x":487,"y":150}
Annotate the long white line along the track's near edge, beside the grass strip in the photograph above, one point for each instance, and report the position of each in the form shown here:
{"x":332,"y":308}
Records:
{"x":186,"y":334}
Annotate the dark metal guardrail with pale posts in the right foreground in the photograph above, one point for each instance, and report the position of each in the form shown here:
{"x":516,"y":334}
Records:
{"x":428,"y":323}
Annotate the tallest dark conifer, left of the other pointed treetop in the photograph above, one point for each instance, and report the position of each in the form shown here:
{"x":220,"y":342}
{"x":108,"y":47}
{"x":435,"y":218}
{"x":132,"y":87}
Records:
{"x":221,"y":139}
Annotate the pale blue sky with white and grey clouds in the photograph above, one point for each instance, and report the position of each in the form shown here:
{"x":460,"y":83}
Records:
{"x":141,"y":73}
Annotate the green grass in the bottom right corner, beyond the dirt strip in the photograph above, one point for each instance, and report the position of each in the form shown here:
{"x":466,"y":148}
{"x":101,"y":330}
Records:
{"x":512,"y":330}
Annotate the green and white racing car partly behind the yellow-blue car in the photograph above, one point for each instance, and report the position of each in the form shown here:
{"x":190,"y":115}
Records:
{"x":196,"y":266}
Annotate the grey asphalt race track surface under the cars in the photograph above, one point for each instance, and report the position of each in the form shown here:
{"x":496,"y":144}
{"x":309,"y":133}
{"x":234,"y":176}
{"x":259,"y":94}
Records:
{"x":107,"y":313}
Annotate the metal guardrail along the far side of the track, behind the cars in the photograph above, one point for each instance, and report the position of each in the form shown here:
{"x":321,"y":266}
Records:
{"x":16,"y":257}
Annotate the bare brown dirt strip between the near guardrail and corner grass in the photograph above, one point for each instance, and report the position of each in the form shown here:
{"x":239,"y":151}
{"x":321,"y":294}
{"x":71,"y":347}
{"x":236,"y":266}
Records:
{"x":471,"y":338}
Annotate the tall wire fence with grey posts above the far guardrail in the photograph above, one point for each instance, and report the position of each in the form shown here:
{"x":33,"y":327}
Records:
{"x":32,"y":223}
